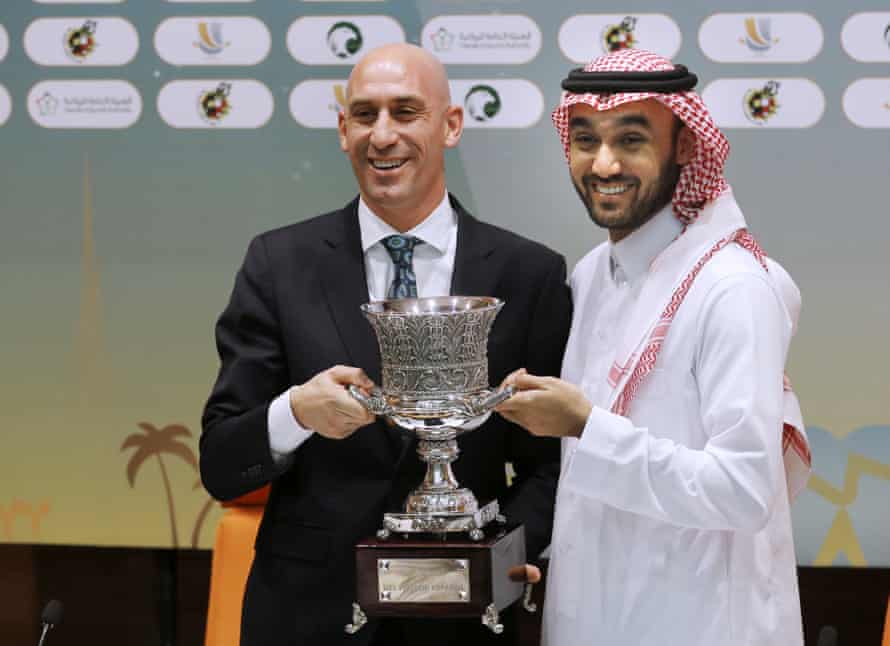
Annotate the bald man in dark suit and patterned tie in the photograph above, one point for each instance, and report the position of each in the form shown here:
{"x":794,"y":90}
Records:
{"x":293,"y":336}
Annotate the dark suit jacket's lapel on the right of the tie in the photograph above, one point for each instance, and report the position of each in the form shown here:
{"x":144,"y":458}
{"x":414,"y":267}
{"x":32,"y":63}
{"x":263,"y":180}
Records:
{"x":472,"y":275}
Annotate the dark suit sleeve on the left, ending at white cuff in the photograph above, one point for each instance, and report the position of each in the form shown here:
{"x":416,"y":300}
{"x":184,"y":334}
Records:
{"x":235,"y":457}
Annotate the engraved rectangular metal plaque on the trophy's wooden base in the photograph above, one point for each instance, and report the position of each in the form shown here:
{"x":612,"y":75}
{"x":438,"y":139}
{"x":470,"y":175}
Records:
{"x":423,"y":580}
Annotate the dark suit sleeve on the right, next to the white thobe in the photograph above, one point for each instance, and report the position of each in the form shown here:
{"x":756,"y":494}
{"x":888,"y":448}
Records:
{"x":536,"y":460}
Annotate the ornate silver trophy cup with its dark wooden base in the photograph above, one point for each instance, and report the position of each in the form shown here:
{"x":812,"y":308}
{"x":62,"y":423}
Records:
{"x":444,"y":555}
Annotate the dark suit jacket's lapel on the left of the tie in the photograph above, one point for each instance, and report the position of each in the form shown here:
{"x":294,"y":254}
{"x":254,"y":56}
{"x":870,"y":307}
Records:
{"x":346,"y":290}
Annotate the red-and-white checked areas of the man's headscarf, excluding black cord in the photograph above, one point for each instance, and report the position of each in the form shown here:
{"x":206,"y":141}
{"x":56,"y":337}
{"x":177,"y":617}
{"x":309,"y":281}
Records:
{"x":701,"y":181}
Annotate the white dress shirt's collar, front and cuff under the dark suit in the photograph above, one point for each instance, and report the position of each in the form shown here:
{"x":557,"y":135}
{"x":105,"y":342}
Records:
{"x":433,"y":266}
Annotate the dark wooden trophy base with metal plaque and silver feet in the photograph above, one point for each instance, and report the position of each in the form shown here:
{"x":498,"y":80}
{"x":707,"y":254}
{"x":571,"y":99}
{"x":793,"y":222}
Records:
{"x":433,"y":576}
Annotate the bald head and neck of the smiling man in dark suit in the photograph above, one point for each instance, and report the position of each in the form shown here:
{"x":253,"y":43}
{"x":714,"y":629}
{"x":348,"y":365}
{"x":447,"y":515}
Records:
{"x":395,"y":127}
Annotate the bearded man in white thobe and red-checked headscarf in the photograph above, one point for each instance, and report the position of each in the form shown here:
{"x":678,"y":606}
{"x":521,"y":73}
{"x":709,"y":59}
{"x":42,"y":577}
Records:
{"x":683,"y":443}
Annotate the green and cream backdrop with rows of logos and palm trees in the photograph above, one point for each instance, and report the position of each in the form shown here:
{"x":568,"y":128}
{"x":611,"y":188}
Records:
{"x":145,"y":141}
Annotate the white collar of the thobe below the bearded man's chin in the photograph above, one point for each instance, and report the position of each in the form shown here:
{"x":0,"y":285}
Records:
{"x":631,"y":257}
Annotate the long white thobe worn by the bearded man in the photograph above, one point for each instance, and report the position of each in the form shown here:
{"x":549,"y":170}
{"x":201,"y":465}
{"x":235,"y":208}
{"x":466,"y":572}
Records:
{"x":673,"y":526}
